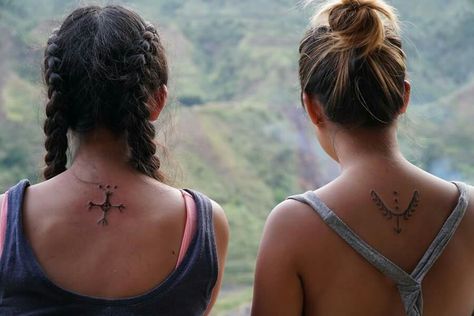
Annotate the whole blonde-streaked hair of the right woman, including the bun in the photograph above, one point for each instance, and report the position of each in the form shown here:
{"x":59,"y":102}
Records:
{"x":351,"y":58}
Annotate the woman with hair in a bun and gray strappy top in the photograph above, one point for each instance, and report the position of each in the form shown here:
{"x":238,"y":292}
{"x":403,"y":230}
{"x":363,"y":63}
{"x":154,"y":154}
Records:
{"x":385,"y":237}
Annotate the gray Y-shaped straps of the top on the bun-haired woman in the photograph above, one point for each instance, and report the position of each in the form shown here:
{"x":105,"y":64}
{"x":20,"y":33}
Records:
{"x":409,"y":285}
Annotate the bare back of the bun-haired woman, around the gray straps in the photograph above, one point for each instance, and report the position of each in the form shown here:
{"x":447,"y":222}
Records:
{"x":342,"y":274}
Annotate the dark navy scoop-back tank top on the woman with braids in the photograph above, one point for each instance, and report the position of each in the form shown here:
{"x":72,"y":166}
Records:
{"x":26,"y":290}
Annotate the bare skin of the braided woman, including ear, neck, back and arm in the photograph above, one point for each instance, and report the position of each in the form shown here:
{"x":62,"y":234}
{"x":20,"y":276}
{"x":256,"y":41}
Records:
{"x":140,"y":246}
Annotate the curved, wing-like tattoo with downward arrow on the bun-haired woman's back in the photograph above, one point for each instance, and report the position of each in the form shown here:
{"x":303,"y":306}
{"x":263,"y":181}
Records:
{"x":389,"y":213}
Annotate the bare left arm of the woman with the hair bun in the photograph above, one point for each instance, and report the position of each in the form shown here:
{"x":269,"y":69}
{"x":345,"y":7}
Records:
{"x":277,"y":288}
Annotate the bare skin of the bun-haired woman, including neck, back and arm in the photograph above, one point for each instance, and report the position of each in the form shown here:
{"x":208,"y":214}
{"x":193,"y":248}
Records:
{"x":304,"y":268}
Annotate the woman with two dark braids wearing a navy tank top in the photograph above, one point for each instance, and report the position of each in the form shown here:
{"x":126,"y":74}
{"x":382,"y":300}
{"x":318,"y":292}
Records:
{"x":103,"y":235}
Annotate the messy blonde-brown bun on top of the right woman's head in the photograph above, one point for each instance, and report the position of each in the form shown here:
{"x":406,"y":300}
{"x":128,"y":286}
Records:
{"x":359,"y":24}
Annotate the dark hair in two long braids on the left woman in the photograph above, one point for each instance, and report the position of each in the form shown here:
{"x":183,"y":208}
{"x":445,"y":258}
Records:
{"x":102,"y":67}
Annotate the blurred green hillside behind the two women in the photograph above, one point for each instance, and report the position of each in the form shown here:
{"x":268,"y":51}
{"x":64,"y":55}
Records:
{"x":234,"y":127}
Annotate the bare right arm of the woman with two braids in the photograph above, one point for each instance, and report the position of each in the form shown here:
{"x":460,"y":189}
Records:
{"x":221,"y":228}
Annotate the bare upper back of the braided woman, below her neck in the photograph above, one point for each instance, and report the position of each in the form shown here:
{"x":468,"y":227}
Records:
{"x":141,"y":240}
